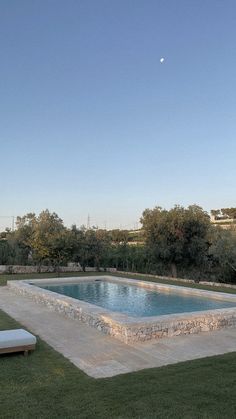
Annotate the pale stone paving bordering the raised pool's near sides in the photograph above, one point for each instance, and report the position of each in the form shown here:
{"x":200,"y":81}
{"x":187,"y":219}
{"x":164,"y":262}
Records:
{"x":100,"y":355}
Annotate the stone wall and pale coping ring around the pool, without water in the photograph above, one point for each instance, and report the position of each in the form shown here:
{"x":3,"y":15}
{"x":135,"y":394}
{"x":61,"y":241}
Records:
{"x":125,"y":327}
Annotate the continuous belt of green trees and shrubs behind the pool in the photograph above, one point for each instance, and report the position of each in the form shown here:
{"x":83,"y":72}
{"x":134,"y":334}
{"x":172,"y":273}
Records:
{"x":180,"y":241}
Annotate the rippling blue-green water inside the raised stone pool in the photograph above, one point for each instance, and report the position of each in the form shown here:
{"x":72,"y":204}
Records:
{"x":134,"y":300}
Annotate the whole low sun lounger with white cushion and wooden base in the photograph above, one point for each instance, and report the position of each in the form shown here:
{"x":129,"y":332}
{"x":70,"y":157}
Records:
{"x":16,"y":340}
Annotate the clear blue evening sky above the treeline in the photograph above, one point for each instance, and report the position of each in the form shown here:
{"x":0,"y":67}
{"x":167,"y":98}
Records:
{"x":92,"y":122}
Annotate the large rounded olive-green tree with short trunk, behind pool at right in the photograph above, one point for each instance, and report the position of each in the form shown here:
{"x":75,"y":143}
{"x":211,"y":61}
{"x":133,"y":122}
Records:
{"x":178,"y":236}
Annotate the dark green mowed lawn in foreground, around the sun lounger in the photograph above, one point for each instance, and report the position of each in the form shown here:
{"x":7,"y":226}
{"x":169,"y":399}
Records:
{"x":46,"y":385}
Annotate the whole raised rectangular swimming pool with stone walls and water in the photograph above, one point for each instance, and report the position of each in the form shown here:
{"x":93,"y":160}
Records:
{"x":132,"y":310}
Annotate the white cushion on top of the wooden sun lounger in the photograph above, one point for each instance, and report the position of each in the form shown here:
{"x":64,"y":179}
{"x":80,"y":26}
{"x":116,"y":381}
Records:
{"x":16,"y":337}
